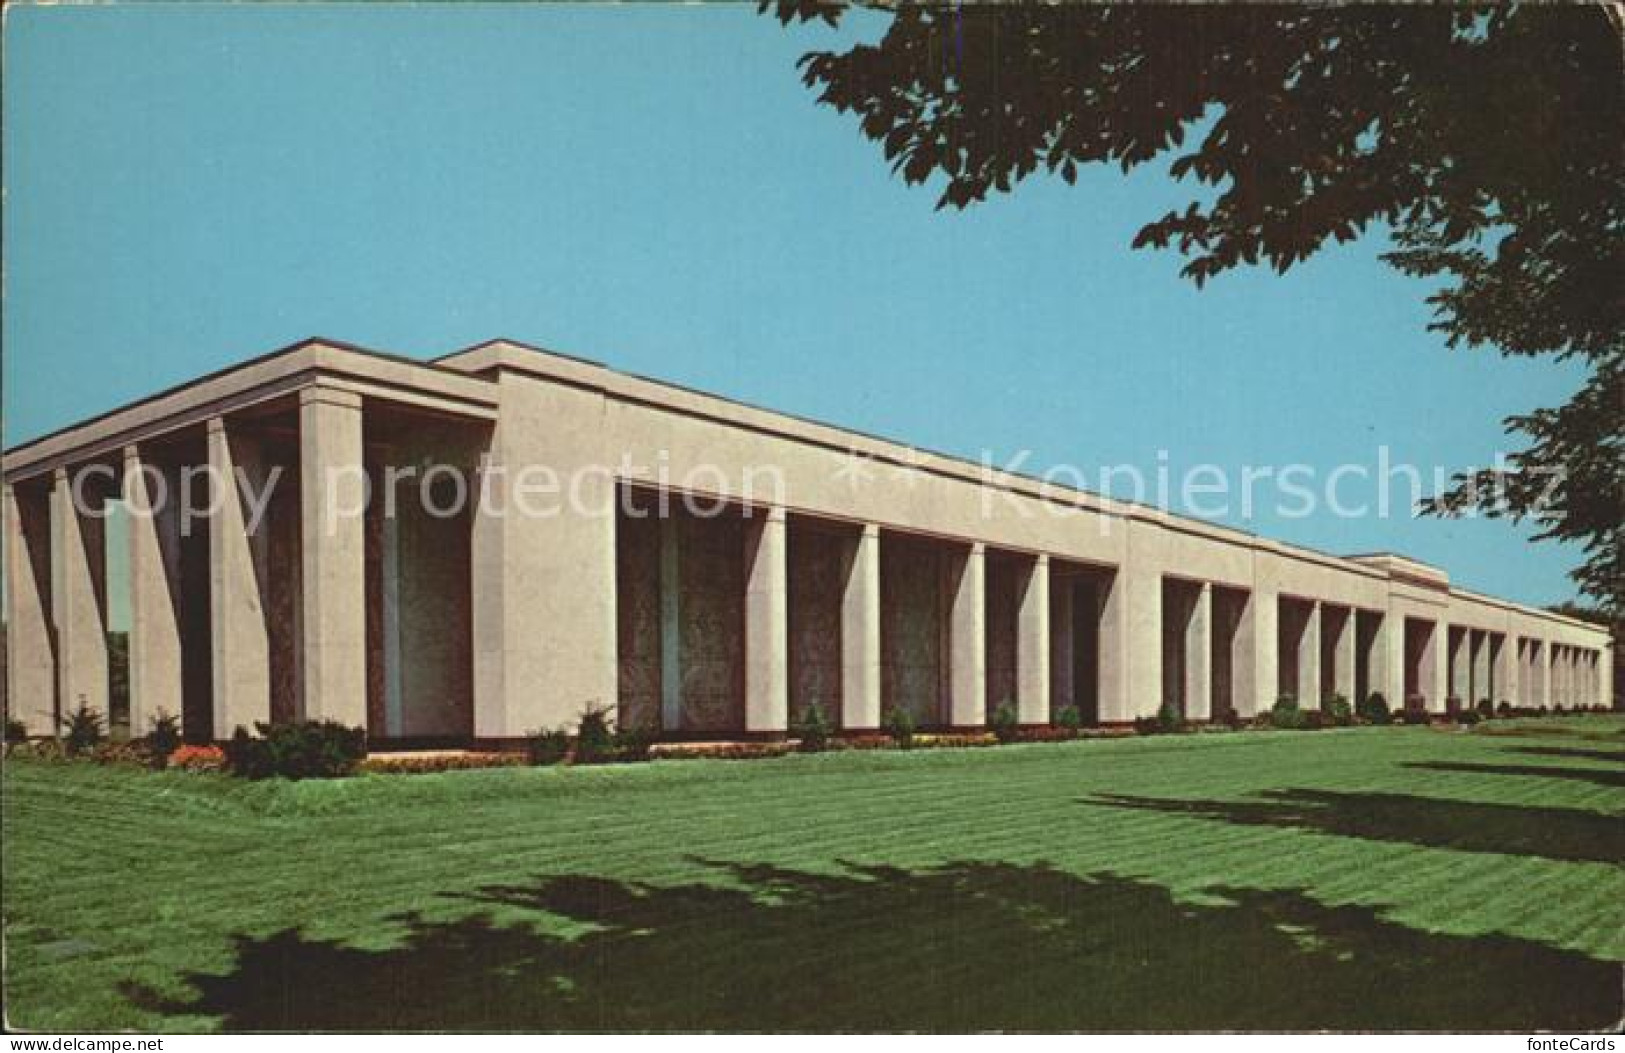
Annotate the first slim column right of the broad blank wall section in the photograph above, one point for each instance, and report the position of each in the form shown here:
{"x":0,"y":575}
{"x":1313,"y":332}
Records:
{"x":766,"y":625}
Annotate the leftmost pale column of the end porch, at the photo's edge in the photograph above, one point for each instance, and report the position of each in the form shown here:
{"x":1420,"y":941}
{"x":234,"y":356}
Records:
{"x":30,"y":661}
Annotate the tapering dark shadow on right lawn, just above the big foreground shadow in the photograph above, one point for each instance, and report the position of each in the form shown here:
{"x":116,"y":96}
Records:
{"x":1436,"y":823}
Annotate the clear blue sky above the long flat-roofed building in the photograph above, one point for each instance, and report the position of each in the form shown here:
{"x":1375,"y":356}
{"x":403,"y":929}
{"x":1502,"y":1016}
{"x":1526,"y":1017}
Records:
{"x":654,"y":188}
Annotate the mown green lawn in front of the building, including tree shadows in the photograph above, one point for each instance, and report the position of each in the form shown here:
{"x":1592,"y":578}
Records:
{"x":1377,"y":878}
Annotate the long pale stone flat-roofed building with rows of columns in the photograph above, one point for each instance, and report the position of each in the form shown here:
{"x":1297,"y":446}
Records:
{"x":477,"y":548}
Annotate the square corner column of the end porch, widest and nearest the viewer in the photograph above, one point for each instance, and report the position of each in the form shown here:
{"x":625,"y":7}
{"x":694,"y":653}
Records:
{"x":332,"y":505}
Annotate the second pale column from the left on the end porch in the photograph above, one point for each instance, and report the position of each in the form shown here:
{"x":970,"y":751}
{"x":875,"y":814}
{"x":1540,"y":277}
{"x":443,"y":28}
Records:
{"x":79,"y":597}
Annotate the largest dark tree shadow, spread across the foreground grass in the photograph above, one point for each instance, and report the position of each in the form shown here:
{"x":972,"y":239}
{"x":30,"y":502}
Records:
{"x":956,"y":948}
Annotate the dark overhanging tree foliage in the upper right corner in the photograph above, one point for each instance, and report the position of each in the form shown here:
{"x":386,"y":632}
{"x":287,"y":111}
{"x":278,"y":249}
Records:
{"x":1488,"y":142}
